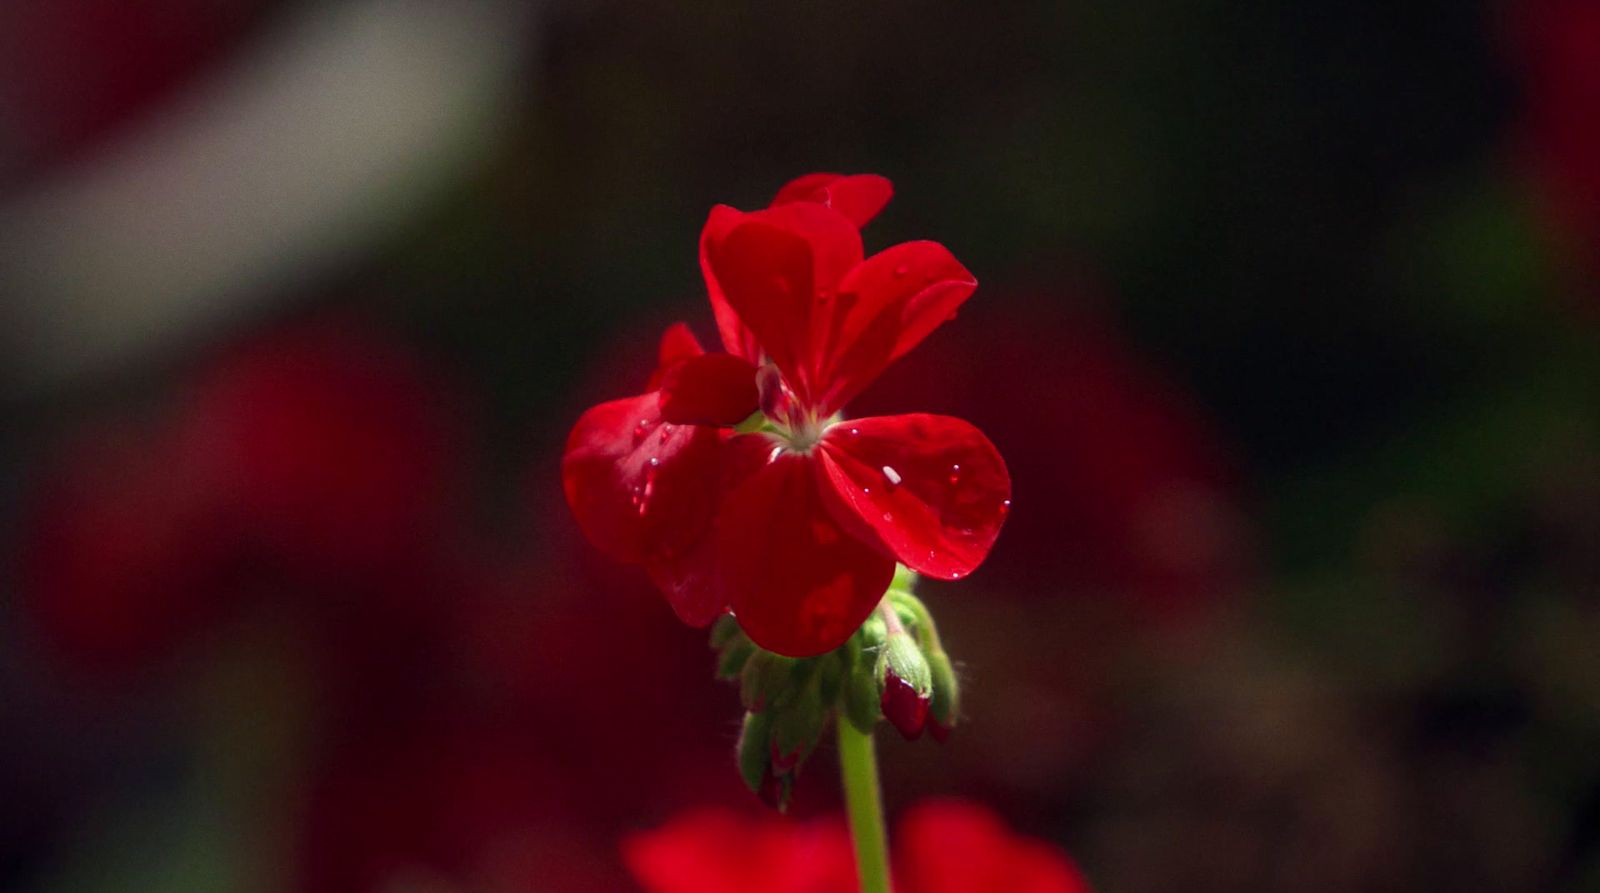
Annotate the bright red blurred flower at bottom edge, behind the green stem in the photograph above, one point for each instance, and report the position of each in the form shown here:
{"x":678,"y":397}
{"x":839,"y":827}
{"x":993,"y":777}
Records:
{"x":943,"y":847}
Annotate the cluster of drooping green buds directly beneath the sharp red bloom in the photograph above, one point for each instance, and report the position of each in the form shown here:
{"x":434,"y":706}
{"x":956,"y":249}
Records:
{"x":892,"y":668}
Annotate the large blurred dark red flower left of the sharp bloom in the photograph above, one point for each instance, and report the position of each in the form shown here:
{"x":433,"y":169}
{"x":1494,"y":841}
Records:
{"x":314,"y":460}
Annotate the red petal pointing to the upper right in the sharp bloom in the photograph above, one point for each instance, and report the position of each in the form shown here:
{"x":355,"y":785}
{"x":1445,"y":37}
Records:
{"x":886,"y":308}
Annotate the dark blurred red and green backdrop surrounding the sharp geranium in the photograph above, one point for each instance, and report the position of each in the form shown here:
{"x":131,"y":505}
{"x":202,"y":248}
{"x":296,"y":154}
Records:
{"x":1289,"y":330}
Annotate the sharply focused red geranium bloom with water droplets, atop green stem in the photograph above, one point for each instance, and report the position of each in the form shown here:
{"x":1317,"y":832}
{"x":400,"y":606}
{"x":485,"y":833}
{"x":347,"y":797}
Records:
{"x":796,"y":519}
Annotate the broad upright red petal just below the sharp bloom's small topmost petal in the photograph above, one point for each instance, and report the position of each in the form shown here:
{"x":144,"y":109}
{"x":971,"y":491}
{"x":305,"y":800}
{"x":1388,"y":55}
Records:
{"x":778,"y":270}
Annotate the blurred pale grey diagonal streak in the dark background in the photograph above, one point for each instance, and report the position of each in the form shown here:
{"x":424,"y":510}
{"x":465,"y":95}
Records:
{"x":319,"y":143}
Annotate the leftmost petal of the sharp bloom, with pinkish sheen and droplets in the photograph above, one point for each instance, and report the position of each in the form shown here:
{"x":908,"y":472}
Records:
{"x":638,"y":484}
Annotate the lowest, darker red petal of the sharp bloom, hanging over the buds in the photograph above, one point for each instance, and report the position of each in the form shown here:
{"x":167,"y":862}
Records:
{"x":796,"y":580}
